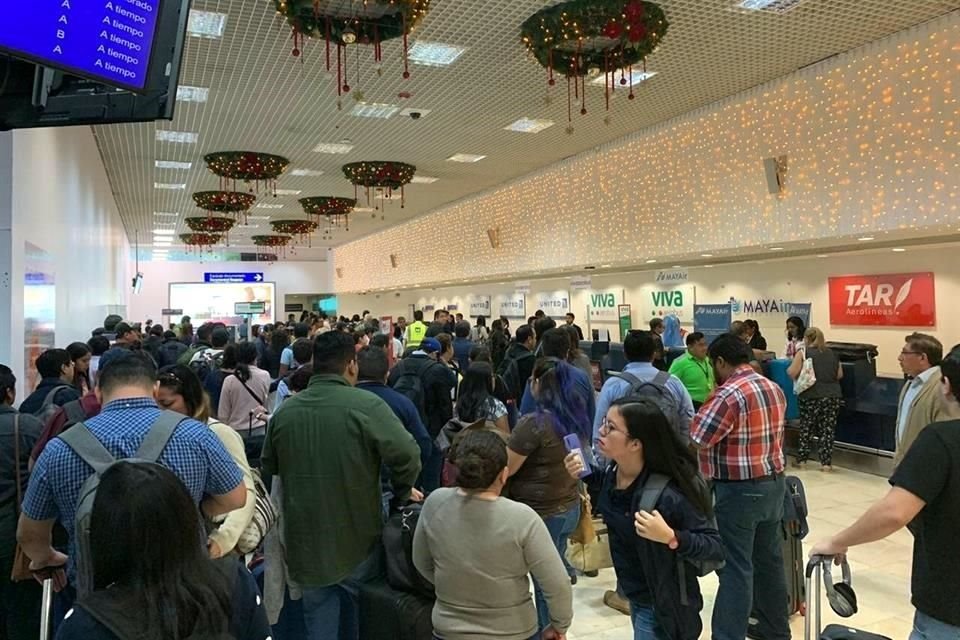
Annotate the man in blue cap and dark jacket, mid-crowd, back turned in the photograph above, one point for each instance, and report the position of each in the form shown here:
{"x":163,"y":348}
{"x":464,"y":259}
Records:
{"x":437,"y":383}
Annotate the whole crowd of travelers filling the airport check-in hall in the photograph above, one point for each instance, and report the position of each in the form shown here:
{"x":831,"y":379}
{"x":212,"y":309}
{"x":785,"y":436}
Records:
{"x":152,"y":467}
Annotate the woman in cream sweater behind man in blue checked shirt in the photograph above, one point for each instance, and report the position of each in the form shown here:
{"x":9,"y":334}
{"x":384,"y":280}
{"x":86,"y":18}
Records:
{"x":181,"y":391}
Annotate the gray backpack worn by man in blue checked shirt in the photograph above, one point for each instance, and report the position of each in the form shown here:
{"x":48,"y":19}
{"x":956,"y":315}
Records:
{"x":91,"y":451}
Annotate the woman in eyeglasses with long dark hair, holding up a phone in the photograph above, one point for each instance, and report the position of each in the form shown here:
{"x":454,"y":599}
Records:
{"x":648,"y":547}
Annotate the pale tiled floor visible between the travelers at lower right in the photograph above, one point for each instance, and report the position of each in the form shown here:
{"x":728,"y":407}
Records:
{"x":881,"y":571}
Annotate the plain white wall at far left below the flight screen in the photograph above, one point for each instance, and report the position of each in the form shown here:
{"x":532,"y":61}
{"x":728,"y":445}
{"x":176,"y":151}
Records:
{"x":55,"y":195}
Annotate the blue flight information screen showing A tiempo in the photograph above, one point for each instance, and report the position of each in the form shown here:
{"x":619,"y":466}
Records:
{"x":109,"y":41}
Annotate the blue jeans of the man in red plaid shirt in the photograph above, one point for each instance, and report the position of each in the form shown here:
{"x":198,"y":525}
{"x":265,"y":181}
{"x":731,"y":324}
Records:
{"x":748,"y":516}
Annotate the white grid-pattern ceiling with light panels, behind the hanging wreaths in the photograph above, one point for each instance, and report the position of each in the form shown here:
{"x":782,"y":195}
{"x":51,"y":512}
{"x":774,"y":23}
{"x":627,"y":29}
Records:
{"x":263,"y":99}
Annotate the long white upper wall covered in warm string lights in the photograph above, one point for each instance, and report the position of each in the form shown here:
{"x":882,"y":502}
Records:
{"x":871,"y":140}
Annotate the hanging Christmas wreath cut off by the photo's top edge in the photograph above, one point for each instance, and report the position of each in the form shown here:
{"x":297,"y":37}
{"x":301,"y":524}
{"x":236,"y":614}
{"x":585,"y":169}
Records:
{"x":376,"y":20}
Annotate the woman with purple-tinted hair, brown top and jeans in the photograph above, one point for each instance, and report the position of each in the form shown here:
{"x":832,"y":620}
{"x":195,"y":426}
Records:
{"x":536,"y":458}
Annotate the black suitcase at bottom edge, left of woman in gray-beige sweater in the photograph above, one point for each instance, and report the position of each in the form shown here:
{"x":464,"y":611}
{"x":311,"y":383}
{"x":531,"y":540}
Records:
{"x":388,"y":614}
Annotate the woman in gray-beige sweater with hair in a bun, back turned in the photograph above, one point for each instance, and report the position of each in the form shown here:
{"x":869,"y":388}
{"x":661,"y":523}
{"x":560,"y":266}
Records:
{"x":478,"y":548}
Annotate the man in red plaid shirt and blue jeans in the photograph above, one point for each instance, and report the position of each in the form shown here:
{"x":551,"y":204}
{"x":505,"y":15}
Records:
{"x":739,"y":431}
